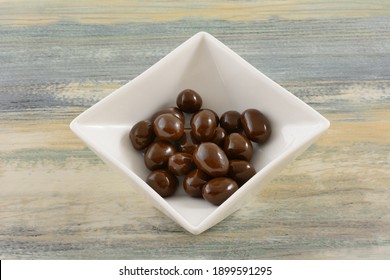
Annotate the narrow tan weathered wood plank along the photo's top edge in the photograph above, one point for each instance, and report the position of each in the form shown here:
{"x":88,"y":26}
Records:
{"x":117,"y":11}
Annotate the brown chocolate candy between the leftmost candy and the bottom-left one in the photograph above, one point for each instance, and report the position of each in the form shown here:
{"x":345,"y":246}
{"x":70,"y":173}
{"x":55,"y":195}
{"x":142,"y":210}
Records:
{"x":157,"y":154}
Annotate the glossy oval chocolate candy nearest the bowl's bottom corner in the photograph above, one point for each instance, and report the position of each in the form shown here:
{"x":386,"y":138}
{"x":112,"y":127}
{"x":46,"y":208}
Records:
{"x":217,"y":190}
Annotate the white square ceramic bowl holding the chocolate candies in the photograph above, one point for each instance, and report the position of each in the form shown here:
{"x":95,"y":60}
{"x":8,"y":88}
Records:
{"x":226,"y":82}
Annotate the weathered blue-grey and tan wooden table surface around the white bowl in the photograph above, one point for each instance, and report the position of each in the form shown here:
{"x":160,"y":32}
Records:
{"x":59,"y":201}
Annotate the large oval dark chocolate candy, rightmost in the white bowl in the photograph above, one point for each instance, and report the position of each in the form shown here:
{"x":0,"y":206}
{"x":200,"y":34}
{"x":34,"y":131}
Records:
{"x":256,"y":126}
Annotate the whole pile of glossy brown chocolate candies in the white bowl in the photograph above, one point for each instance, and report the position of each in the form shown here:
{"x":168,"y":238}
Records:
{"x":213,"y":154}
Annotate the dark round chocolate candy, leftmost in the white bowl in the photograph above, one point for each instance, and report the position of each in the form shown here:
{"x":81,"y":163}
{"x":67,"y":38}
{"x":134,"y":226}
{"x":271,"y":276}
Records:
{"x":141,"y":134}
